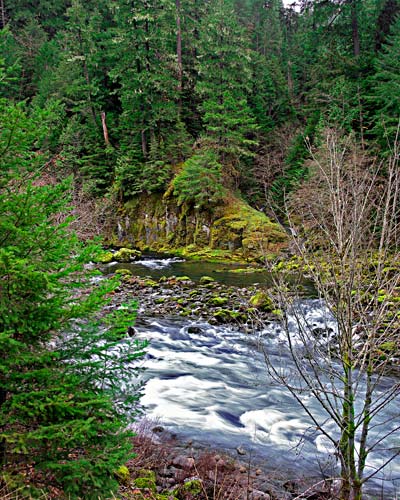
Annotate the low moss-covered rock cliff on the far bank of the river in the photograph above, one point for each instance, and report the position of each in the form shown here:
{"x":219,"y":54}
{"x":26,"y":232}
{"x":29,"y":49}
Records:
{"x":234,"y":230}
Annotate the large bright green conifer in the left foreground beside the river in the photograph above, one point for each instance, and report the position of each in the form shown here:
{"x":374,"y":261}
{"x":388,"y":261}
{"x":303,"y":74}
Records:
{"x":63,"y":376}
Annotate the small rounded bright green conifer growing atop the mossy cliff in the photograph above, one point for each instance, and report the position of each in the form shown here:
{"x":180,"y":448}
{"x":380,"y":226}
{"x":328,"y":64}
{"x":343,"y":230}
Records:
{"x":199,"y":181}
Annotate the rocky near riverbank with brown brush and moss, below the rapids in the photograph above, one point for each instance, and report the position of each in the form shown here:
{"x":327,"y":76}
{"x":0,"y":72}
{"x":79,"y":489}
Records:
{"x":166,"y":468}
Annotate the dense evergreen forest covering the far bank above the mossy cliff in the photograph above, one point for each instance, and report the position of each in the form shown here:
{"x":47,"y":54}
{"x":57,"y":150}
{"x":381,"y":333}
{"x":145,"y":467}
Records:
{"x":138,"y":94}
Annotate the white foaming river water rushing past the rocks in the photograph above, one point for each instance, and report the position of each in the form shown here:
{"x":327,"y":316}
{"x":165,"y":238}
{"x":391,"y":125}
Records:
{"x":210,"y":384}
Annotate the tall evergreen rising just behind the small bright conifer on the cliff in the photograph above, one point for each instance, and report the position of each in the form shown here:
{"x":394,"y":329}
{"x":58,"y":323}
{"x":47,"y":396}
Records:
{"x":224,"y":82}
